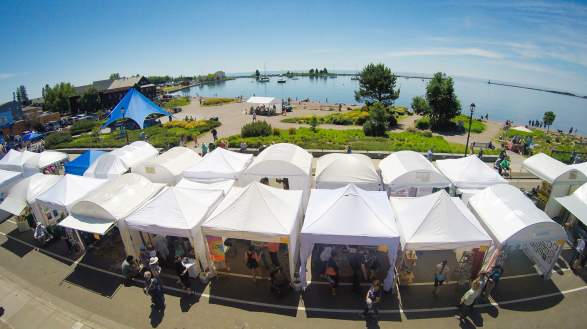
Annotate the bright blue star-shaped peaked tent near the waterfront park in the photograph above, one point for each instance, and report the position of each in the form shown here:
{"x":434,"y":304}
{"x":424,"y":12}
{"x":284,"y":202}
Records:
{"x":137,"y":107}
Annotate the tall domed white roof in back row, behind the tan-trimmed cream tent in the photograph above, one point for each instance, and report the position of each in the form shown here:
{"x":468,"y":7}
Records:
{"x":281,"y":159}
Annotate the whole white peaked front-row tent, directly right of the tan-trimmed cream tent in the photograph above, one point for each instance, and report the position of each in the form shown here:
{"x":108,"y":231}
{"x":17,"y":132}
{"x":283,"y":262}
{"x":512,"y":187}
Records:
{"x":349,"y":215}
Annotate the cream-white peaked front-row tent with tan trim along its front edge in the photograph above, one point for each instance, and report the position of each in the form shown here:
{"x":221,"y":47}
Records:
{"x":260,"y":213}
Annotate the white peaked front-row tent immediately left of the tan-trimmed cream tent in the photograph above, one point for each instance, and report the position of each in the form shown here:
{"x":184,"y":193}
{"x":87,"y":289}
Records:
{"x":176,"y":212}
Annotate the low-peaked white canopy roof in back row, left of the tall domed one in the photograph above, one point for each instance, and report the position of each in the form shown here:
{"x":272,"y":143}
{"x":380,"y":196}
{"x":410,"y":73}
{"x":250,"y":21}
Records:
{"x":219,"y":165}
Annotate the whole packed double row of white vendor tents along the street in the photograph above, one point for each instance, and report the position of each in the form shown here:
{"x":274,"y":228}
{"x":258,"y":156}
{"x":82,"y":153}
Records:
{"x":177,"y":193}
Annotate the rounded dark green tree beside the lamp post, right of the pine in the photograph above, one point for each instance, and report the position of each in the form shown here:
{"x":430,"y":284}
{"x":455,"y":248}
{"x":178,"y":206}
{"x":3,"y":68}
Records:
{"x":444,"y":104}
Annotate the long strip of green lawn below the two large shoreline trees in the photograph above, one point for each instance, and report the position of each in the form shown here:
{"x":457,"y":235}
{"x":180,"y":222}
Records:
{"x":338,"y":139}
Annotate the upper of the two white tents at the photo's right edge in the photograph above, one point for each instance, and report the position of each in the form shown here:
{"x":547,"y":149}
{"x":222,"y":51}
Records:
{"x":563,"y":179}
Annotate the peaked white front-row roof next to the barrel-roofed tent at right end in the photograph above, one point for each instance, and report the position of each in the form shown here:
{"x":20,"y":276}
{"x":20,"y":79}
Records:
{"x":437,"y":222}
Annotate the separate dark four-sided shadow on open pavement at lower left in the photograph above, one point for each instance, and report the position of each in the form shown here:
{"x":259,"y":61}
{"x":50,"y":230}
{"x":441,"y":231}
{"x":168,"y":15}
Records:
{"x":98,"y":282}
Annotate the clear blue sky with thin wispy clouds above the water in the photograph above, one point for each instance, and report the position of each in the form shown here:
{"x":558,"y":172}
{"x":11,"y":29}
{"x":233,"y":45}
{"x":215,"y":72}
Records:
{"x":533,"y":42}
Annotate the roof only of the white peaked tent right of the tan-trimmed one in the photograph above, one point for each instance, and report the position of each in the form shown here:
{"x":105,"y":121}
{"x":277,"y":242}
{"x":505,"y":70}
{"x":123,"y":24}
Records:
{"x":350,"y":211}
